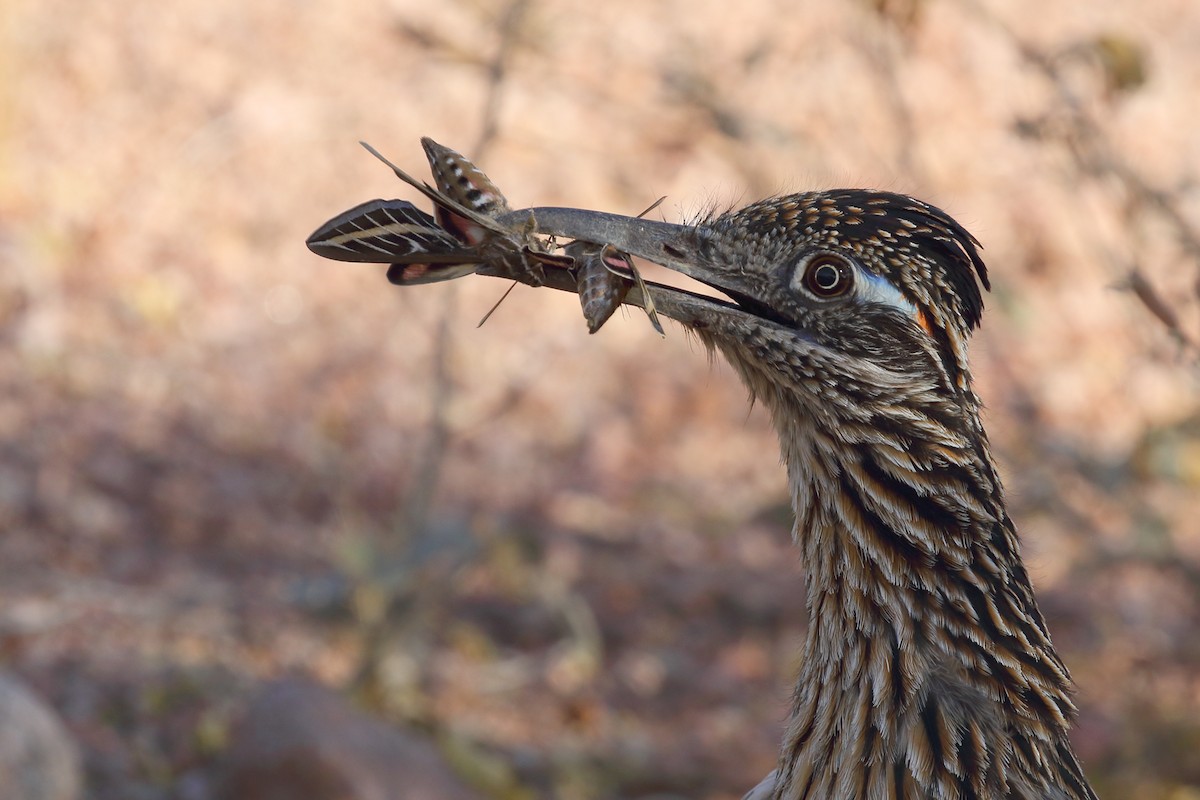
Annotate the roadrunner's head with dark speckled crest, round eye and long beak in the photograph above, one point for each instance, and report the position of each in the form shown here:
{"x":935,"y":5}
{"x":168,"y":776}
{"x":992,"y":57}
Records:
{"x":849,"y":286}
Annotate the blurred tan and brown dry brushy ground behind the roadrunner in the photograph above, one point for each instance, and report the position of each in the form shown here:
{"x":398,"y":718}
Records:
{"x":560,"y":562}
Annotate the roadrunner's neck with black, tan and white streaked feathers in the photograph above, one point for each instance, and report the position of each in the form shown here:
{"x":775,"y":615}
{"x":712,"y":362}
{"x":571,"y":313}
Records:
{"x":928,"y":669}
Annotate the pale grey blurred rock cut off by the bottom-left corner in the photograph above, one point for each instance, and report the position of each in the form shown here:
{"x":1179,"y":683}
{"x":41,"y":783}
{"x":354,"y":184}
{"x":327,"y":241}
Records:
{"x":38,"y":759}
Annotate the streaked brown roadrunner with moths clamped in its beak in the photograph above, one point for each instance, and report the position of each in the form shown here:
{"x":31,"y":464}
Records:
{"x":928,"y":670}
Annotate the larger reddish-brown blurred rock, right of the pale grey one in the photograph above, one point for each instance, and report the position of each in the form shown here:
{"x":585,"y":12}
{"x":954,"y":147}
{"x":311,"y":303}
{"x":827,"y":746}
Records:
{"x":302,"y":741}
